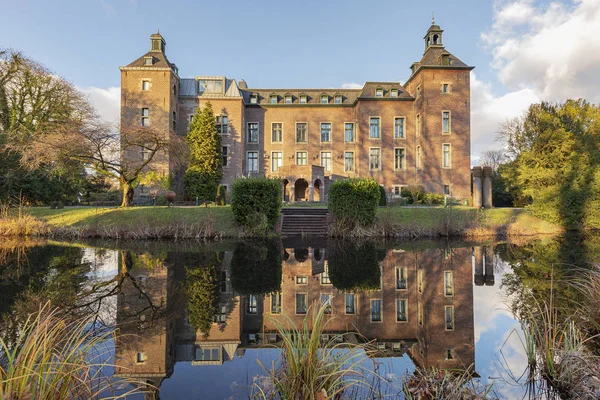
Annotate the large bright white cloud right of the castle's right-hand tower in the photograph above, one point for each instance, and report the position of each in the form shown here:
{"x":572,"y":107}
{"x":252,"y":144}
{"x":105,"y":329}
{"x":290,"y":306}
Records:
{"x":540,"y":52}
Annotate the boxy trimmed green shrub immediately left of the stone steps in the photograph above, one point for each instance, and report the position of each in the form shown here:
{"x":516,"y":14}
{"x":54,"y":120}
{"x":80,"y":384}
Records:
{"x":256,"y":202}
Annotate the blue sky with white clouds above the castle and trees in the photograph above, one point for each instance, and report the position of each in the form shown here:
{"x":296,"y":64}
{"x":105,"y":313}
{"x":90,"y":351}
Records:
{"x":523,"y":50}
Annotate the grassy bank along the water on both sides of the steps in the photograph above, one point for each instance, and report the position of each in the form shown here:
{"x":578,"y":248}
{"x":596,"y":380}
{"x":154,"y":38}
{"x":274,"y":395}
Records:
{"x":217,"y":222}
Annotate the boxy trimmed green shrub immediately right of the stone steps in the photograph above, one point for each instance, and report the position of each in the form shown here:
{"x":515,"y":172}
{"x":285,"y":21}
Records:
{"x":354,"y":201}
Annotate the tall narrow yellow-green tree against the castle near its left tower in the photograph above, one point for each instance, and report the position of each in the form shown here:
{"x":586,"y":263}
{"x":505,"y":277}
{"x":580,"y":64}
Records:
{"x":205,"y":164}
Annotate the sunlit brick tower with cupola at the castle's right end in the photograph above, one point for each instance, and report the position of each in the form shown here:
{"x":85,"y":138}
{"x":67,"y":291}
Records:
{"x":440,"y":85}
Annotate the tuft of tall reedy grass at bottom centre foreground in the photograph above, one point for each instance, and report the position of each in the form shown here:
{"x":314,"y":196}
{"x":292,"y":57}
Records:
{"x":310,"y":369}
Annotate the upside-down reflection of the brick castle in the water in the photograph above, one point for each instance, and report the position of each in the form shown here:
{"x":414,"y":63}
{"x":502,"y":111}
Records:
{"x":422,"y":306}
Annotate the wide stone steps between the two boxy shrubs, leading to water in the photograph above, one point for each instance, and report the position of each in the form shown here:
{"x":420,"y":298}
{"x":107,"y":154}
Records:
{"x":304,"y":221}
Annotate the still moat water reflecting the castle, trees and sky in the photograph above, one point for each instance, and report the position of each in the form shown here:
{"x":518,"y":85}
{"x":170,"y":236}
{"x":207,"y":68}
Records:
{"x":443,"y":304}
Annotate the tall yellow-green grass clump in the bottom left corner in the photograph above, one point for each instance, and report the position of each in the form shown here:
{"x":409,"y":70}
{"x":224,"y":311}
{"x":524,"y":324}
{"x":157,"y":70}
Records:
{"x":56,"y":358}
